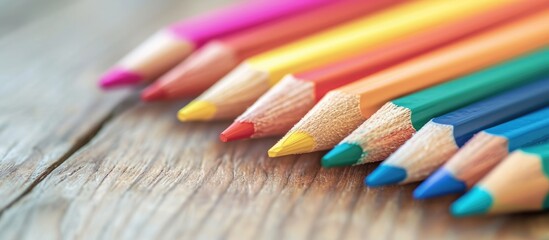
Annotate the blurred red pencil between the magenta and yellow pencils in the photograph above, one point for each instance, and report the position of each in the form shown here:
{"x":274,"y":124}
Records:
{"x":219,"y":57}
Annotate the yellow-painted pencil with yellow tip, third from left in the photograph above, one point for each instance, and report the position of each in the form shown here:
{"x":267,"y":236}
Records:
{"x":230,"y":97}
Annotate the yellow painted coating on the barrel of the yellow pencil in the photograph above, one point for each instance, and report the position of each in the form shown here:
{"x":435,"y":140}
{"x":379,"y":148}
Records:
{"x":366,"y":33}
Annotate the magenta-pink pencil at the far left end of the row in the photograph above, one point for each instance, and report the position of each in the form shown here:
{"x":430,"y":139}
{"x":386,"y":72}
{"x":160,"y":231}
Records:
{"x":171,"y":45}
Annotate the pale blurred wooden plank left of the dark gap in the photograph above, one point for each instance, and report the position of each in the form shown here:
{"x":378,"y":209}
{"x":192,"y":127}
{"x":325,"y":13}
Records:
{"x":49,"y":68}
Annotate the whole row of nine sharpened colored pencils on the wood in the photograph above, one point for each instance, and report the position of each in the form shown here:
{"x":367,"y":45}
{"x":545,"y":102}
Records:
{"x":455,"y":93}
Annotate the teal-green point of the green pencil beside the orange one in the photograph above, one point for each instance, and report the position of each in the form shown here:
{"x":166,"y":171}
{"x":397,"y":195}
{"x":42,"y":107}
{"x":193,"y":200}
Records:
{"x":342,"y":155}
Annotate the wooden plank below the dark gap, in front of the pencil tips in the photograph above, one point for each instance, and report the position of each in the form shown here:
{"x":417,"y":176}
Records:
{"x":147,"y":176}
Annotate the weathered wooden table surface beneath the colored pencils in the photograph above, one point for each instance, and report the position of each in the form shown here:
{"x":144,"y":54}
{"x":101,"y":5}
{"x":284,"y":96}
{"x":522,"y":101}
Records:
{"x":78,"y":163}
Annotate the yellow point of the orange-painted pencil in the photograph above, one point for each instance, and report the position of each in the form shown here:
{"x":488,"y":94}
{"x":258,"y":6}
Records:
{"x":294,"y":143}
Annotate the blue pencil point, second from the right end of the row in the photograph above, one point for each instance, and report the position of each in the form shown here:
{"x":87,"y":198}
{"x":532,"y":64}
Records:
{"x":441,"y":183}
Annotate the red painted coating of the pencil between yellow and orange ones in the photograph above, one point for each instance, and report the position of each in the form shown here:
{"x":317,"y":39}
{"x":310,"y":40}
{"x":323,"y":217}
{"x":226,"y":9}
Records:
{"x":340,"y":73}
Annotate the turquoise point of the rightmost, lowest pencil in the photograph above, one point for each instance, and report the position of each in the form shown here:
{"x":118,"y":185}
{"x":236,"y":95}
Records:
{"x":475,"y":202}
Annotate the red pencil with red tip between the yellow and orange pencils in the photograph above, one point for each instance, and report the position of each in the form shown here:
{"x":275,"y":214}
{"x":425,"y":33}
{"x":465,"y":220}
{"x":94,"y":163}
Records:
{"x":282,"y":106}
